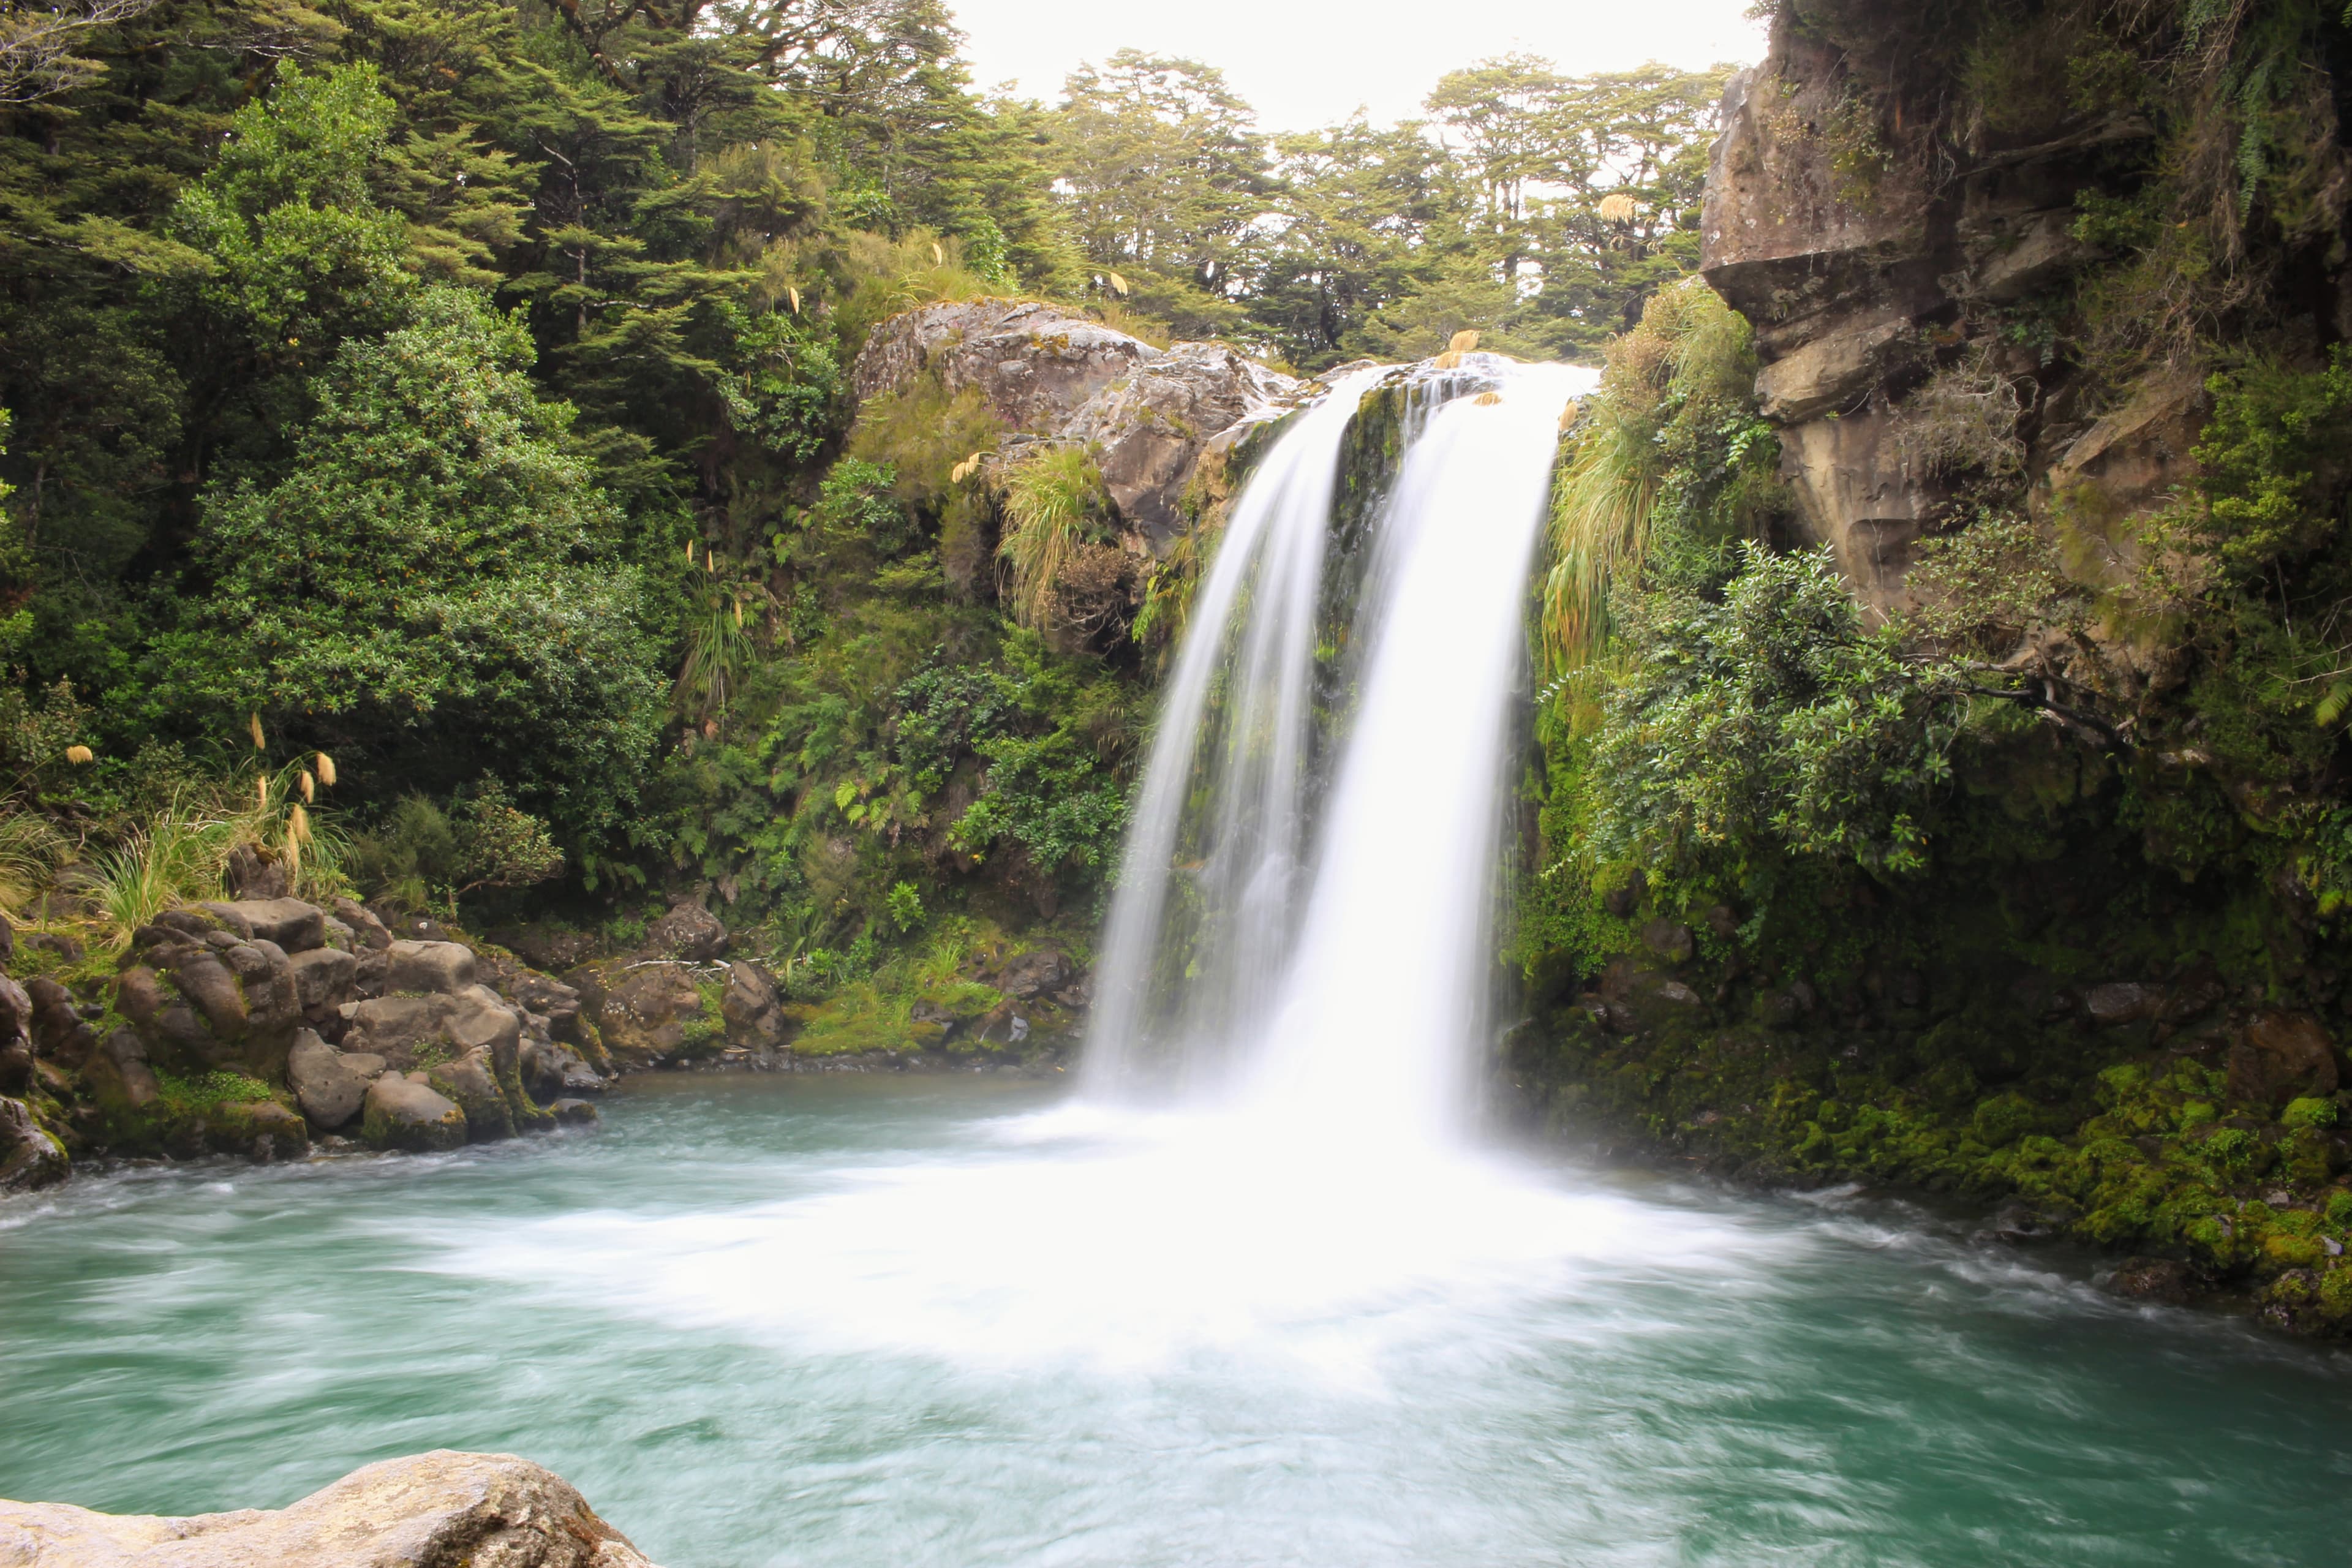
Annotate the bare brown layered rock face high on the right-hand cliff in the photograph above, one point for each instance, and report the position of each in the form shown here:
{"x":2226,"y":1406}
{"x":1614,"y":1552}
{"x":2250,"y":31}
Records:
{"x":1859,"y":279}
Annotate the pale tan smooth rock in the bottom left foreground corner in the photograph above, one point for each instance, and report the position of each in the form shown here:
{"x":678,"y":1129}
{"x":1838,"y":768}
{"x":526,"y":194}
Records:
{"x":434,"y":1510}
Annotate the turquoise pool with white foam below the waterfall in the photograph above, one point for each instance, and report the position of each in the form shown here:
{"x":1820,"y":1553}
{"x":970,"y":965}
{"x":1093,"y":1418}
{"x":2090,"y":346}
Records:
{"x":949,"y":1322}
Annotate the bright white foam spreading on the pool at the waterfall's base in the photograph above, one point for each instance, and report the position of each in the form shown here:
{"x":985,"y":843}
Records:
{"x":1132,"y":1245}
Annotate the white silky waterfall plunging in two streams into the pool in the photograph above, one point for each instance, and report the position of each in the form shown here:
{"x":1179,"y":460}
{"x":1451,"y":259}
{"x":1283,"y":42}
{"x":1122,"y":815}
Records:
{"x":1304,"y":913}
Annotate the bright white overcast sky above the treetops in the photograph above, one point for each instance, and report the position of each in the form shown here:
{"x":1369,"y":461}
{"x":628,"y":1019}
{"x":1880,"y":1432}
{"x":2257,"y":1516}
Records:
{"x":1309,"y":62}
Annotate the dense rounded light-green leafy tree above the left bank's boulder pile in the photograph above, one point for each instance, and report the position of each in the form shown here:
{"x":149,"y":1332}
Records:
{"x":434,"y":587}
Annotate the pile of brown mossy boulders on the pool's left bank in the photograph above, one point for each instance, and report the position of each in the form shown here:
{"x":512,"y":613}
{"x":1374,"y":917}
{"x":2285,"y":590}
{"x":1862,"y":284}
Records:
{"x":255,"y":1026}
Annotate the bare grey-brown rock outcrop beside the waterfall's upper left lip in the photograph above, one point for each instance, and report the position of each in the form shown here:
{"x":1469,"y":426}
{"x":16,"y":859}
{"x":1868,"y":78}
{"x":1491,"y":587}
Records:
{"x":1147,"y":413}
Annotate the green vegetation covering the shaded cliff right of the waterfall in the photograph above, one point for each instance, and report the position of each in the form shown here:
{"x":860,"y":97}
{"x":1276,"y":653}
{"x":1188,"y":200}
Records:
{"x":2022,"y":878}
